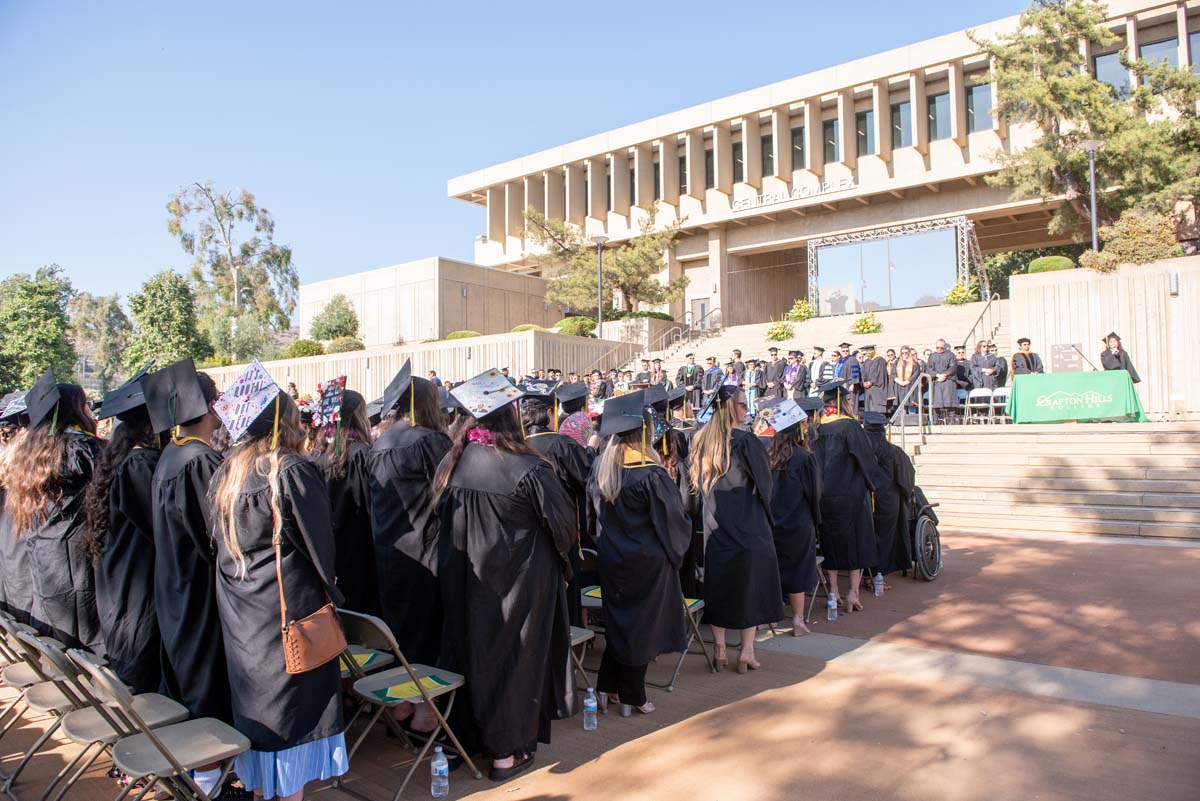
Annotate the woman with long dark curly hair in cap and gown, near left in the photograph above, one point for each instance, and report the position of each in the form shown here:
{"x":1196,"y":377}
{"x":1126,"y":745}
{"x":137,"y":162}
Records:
{"x":121,"y":539}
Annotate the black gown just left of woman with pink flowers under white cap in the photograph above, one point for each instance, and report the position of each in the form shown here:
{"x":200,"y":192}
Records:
{"x":403,"y":465}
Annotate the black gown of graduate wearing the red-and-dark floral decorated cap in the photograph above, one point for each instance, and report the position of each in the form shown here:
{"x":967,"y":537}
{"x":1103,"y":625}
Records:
{"x":350,"y":503}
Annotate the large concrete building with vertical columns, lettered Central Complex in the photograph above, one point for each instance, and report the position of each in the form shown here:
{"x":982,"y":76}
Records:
{"x":767,"y":180}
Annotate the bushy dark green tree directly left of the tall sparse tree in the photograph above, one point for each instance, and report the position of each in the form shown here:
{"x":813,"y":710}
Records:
{"x":165,"y":323}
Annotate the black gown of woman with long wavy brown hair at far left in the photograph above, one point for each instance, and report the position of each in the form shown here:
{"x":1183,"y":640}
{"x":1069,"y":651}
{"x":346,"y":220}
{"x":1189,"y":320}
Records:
{"x":64,"y":604}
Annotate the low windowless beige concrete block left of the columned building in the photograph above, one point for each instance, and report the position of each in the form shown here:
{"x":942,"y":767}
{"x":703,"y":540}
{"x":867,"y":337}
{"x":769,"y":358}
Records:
{"x":429,"y":299}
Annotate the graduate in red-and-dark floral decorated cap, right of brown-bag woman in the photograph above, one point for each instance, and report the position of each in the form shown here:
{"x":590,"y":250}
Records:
{"x":344,"y":451}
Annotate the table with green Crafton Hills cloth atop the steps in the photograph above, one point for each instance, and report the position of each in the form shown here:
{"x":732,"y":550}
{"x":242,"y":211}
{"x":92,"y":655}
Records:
{"x":1075,"y":398}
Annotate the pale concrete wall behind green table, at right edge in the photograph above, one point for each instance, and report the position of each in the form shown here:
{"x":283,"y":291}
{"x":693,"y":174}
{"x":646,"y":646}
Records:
{"x":1160,"y":330}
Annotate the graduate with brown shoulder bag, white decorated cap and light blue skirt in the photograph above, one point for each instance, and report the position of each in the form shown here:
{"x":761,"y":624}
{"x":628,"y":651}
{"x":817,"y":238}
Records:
{"x":275,"y":546}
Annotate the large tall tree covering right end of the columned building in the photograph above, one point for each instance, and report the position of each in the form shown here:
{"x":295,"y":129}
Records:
{"x":1148,"y":161}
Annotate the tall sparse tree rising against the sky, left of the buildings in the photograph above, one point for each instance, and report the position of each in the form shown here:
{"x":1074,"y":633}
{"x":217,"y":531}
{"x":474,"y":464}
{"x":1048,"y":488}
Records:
{"x":238,"y":268}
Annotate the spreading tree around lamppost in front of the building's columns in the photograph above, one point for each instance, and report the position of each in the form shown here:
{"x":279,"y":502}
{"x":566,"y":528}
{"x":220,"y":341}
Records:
{"x":632,"y":269}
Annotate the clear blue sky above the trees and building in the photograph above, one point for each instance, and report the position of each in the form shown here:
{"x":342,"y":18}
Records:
{"x":346,"y":121}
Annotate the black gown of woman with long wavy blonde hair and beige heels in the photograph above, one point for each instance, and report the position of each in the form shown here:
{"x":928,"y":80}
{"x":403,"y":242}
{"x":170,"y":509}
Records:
{"x":741,"y":569}
